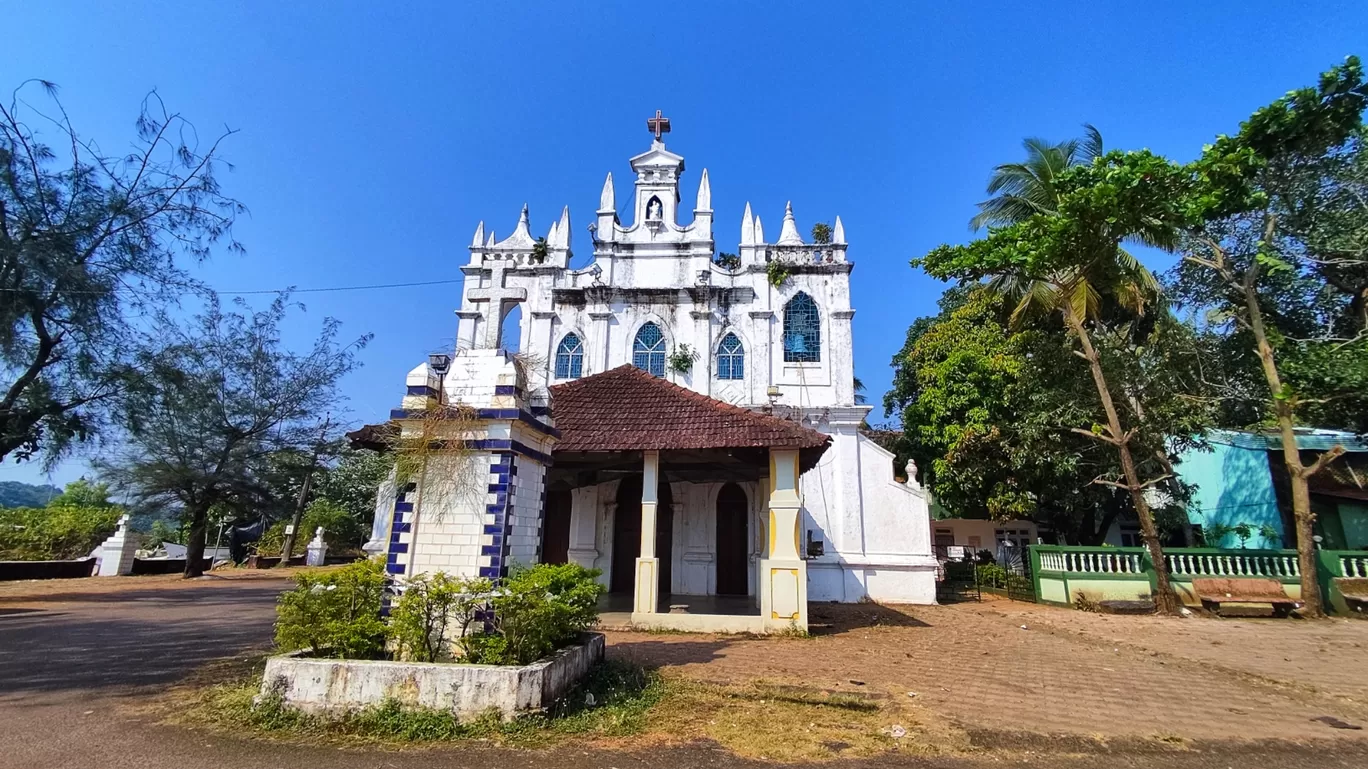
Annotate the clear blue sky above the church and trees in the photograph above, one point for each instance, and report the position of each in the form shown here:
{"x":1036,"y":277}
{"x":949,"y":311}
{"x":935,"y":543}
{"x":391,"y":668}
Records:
{"x":373,"y":140}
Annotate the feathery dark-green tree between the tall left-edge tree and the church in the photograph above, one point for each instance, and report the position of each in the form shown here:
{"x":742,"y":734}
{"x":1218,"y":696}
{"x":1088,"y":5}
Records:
{"x":215,"y":404}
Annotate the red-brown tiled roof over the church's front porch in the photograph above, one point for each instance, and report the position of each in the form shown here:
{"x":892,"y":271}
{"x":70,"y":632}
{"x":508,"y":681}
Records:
{"x":627,"y":410}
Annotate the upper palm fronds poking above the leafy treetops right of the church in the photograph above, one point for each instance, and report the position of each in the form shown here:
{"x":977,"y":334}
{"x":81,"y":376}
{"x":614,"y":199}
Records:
{"x":1024,"y":190}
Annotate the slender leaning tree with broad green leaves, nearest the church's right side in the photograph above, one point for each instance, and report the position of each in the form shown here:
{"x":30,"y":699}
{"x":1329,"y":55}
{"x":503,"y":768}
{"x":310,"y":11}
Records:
{"x":1070,"y":265}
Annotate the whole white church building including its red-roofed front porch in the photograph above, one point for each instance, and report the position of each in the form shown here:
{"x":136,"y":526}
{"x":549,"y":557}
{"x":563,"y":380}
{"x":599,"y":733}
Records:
{"x":754,"y":341}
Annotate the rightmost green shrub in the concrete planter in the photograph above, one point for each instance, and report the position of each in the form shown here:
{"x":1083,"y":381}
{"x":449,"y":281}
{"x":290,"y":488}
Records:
{"x":540,"y":610}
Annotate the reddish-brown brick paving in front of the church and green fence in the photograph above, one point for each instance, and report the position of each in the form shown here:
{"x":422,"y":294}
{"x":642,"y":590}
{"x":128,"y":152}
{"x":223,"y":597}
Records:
{"x":1068,"y":673}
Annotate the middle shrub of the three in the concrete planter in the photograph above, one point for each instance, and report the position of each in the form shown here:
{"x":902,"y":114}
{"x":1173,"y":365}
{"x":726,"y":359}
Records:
{"x":436,"y":614}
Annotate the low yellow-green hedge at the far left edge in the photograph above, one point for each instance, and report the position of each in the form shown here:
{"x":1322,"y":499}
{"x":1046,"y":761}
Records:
{"x":42,"y":534}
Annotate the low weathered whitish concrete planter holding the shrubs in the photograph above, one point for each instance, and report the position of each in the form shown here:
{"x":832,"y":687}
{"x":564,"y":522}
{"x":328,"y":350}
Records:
{"x":337,"y":686}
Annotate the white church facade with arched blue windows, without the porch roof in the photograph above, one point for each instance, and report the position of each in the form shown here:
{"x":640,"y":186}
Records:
{"x":768,"y":330}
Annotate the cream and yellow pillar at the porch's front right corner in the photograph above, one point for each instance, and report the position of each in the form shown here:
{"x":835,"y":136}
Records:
{"x":783,"y":571}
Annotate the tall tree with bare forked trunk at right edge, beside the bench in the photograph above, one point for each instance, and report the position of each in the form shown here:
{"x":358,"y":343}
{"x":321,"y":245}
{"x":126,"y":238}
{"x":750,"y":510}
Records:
{"x":1277,"y":248}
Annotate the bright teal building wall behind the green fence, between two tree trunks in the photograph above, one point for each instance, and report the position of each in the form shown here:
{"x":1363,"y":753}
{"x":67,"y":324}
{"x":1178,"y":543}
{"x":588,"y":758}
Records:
{"x":1233,"y":488}
